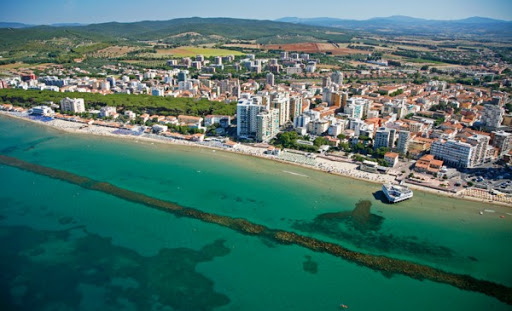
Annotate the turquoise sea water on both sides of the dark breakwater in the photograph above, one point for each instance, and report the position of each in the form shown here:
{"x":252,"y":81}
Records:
{"x":68,"y":248}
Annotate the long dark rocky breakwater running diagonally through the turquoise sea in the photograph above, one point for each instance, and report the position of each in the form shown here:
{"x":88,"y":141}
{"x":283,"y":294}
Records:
{"x":388,"y":266}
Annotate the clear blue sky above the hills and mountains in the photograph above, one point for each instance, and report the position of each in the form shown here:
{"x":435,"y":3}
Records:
{"x":97,"y":11}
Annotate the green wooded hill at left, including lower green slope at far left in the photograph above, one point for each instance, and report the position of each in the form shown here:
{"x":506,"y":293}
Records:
{"x":63,"y":44}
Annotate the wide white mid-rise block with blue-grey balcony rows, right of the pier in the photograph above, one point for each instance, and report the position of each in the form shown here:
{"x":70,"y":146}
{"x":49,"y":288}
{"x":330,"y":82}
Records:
{"x":453,"y":153}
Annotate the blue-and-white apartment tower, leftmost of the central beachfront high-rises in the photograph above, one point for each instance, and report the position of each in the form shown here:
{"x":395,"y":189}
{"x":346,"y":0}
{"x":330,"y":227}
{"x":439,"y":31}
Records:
{"x":247,"y":111}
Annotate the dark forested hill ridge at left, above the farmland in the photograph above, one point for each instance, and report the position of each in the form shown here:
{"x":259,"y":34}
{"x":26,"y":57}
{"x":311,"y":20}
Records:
{"x":181,"y":31}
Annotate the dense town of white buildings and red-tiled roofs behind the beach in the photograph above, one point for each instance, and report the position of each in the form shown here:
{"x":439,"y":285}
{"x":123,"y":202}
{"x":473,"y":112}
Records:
{"x":462,"y":126}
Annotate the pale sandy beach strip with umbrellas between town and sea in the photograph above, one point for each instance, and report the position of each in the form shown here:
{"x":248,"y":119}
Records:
{"x":345,"y":169}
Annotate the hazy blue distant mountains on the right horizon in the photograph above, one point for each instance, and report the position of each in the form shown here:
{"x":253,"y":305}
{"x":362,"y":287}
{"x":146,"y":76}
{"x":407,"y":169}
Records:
{"x":409,"y":25}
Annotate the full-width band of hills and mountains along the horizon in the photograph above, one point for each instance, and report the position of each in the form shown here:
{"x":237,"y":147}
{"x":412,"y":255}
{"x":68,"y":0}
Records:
{"x":195,"y":30}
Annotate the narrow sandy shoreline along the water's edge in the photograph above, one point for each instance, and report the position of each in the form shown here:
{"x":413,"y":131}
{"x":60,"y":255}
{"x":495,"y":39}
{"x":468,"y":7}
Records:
{"x":322,"y":165}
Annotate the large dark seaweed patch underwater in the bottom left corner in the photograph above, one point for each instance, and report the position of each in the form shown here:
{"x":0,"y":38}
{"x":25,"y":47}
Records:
{"x":39,"y":266}
